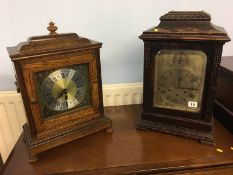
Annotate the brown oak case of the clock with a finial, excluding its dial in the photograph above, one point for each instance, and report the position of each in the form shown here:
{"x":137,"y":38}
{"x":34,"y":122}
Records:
{"x":48,"y":52}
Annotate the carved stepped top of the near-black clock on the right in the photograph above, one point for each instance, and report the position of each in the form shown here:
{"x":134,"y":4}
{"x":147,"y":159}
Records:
{"x":186,"y":25}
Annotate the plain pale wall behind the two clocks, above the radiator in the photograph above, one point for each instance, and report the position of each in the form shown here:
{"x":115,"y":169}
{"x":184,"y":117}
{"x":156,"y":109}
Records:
{"x":115,"y":23}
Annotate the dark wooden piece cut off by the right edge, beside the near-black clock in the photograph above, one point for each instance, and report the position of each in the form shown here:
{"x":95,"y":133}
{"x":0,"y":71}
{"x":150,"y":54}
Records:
{"x":224,"y":101}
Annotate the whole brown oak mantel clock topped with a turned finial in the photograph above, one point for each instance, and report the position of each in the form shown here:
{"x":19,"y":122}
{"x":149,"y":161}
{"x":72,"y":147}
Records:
{"x":59,"y":77}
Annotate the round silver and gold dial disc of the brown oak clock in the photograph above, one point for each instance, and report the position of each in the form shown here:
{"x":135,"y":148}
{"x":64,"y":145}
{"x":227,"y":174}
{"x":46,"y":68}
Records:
{"x":62,"y":89}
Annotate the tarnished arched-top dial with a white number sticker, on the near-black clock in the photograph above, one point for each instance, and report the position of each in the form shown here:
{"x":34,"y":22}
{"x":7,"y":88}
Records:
{"x":179,"y":79}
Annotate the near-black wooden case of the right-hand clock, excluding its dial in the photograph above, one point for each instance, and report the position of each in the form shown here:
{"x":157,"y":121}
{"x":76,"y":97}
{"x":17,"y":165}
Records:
{"x":191,"y":31}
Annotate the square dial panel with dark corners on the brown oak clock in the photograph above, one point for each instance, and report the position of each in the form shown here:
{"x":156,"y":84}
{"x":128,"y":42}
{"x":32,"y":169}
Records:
{"x":63,"y":89}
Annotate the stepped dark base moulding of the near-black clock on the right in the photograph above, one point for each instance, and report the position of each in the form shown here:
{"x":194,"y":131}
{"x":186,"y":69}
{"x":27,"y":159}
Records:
{"x":204,"y":136}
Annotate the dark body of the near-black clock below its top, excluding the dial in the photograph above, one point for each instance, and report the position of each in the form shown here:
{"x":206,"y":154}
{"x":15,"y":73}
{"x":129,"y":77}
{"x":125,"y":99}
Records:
{"x":198,"y":126}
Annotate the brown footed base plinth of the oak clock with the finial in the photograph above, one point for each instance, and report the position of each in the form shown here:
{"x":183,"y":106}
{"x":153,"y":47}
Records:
{"x":36,"y":146}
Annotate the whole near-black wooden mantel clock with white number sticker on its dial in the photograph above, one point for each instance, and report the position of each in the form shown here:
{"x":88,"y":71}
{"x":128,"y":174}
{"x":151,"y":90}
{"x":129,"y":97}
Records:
{"x":181,"y":63}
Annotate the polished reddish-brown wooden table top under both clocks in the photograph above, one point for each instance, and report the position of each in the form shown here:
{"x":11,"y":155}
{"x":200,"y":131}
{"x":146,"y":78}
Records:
{"x":126,"y":150}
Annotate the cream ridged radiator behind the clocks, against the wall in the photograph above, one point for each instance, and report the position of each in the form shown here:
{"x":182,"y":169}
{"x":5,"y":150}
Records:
{"x":12,"y":113}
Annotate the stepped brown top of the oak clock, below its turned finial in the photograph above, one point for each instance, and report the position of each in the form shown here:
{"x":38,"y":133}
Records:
{"x":50,"y":44}
